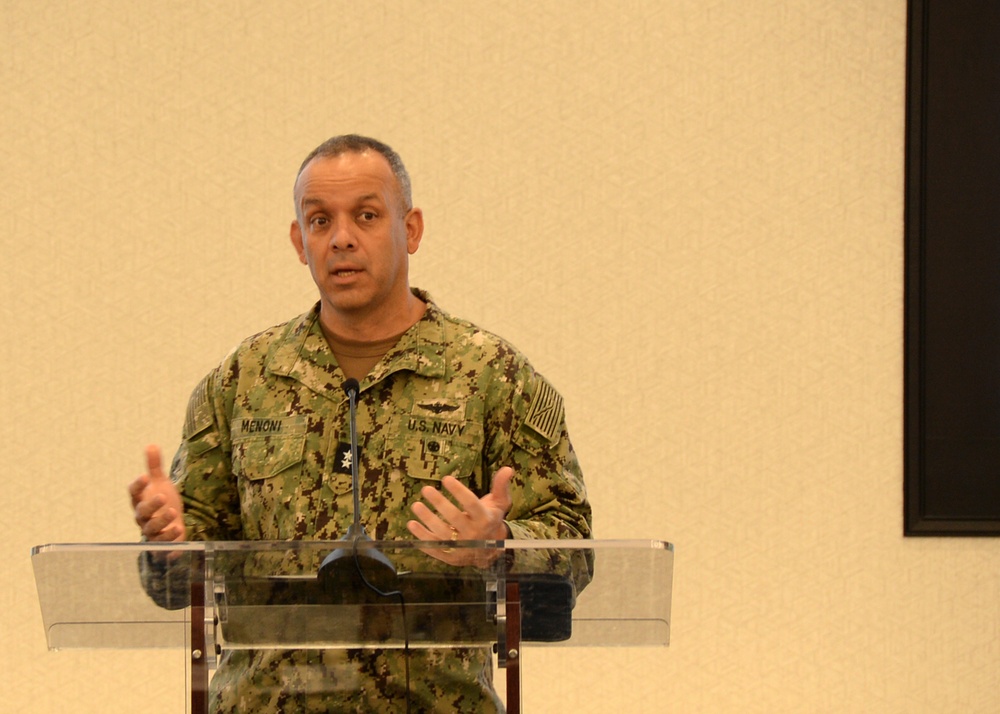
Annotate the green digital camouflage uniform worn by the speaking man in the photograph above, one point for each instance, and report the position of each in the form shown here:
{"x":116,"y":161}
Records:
{"x":262,"y":457}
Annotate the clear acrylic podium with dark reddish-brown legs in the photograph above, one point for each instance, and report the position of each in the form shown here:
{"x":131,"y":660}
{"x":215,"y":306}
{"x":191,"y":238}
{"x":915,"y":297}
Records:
{"x":207,"y":598}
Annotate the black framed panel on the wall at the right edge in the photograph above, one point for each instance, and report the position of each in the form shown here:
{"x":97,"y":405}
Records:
{"x":952,"y":458}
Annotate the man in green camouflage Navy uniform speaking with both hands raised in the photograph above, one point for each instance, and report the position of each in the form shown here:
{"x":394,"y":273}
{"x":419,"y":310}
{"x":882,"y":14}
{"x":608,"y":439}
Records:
{"x":444,"y":407}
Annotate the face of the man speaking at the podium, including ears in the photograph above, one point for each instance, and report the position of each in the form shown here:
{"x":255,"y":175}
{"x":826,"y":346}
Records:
{"x":355,"y":234}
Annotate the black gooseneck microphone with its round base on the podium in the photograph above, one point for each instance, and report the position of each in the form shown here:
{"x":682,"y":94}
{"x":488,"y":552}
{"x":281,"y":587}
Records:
{"x":370,"y":564}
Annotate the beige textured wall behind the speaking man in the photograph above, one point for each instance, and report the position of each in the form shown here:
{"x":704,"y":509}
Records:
{"x":688,"y":213}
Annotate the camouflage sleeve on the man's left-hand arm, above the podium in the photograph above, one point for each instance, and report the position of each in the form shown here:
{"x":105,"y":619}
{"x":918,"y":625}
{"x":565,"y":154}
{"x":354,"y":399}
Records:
{"x":202,"y":467}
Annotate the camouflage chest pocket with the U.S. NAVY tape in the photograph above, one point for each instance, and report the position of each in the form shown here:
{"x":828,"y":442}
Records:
{"x":429,"y":449}
